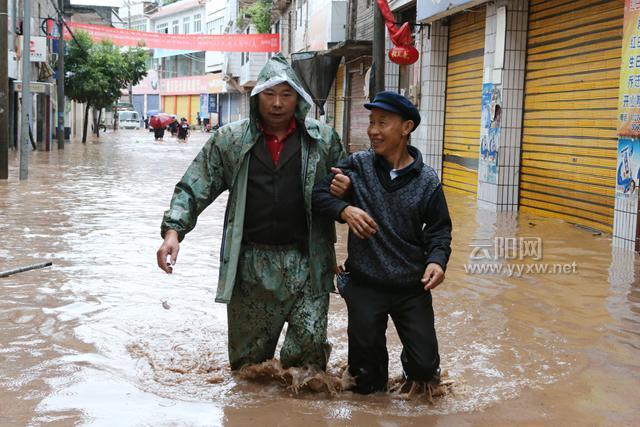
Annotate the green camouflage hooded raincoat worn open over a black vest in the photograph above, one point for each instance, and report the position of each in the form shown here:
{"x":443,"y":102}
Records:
{"x":223,"y":164}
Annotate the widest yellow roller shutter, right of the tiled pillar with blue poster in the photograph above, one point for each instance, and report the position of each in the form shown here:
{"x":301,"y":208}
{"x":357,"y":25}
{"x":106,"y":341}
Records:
{"x":569,"y":141}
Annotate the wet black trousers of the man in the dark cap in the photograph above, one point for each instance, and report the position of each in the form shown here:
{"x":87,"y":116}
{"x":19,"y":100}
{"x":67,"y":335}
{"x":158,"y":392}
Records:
{"x":412,"y":313}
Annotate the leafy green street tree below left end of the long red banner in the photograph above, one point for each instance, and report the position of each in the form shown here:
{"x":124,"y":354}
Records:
{"x":97,"y":73}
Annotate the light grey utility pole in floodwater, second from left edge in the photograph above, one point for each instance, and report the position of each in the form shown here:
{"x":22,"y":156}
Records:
{"x":26,"y":92}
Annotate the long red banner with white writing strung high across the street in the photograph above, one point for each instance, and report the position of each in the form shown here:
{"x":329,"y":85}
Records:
{"x":197,"y":42}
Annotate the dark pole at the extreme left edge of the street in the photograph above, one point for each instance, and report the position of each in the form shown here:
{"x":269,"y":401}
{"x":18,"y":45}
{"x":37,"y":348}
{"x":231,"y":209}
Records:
{"x":4,"y":92}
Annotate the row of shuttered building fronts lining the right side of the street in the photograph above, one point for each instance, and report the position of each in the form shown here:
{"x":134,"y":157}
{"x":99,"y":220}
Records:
{"x":519,"y":99}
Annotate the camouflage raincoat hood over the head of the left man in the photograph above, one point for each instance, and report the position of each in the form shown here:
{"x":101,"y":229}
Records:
{"x":277,"y":70}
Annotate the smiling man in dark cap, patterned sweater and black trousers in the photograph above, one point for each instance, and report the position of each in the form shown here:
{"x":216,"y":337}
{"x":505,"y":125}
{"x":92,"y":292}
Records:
{"x":399,"y":246}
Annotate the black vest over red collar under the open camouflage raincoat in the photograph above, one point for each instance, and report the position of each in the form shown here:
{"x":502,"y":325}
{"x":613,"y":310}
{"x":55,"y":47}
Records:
{"x":275,"y":213}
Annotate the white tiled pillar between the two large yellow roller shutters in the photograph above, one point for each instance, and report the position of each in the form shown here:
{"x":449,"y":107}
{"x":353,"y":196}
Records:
{"x":503,"y":195}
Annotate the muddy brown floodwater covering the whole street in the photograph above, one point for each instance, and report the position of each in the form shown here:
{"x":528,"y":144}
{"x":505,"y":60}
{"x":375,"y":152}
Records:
{"x":103,"y":337}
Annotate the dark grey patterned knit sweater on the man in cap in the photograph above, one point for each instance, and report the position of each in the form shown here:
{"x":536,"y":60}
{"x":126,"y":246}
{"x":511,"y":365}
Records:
{"x":414,"y":226}
